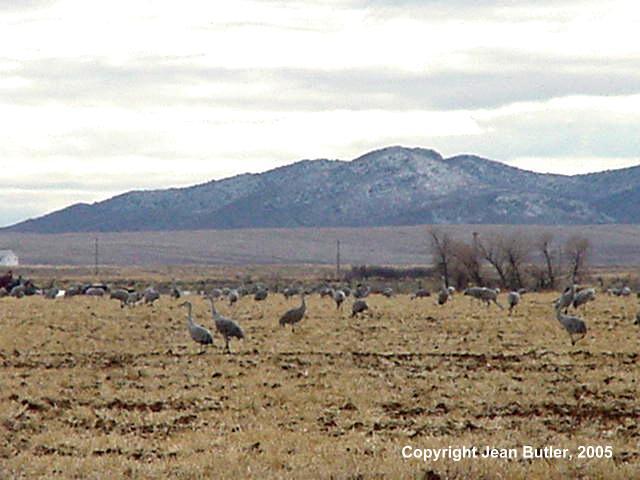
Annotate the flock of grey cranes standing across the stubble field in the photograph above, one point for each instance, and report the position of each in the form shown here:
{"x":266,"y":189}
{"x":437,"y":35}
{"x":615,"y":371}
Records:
{"x":572,"y":297}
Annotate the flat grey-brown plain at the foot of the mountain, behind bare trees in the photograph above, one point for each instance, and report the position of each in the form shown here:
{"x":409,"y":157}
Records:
{"x":612,"y":245}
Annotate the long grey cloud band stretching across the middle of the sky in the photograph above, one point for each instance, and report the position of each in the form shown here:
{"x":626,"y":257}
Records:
{"x":502,"y":77}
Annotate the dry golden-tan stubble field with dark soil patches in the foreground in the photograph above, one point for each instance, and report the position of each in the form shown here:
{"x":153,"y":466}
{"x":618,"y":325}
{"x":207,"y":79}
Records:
{"x":92,"y":391}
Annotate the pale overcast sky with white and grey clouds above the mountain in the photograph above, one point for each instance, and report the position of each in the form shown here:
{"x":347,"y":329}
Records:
{"x":98,"y":98}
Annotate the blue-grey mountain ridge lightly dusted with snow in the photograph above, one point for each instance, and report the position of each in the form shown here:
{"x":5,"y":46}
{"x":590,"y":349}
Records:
{"x":391,"y":186}
